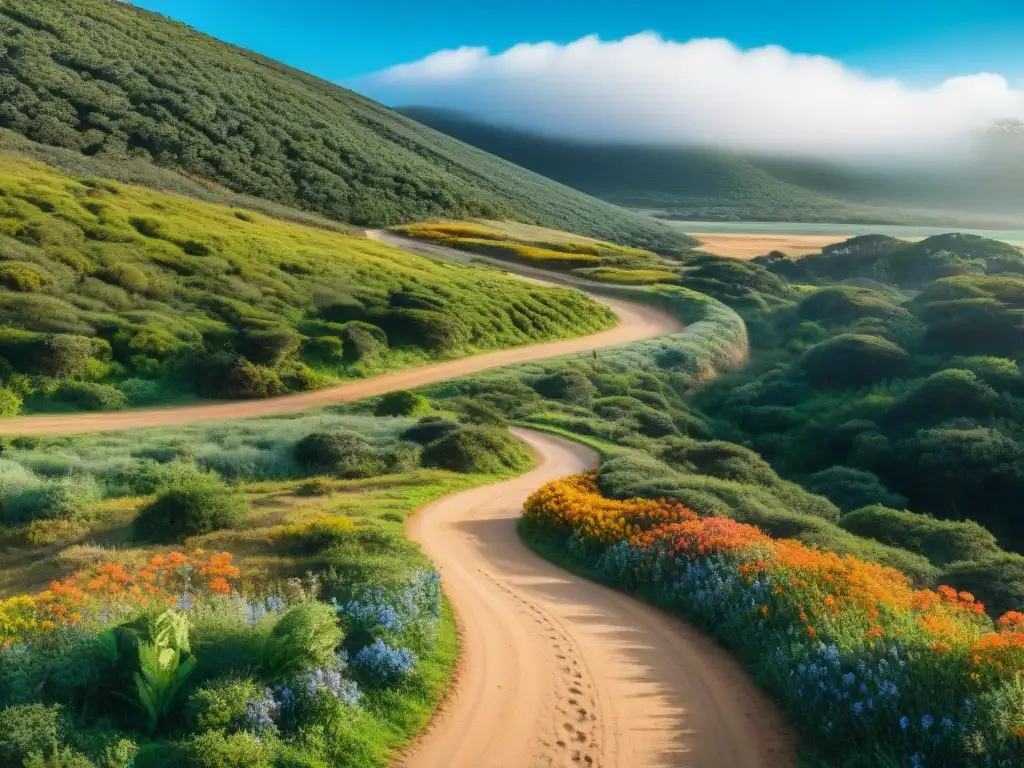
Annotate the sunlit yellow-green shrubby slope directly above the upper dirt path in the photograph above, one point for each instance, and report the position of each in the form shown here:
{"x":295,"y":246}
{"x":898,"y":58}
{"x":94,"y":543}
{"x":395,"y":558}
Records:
{"x":114,"y":295}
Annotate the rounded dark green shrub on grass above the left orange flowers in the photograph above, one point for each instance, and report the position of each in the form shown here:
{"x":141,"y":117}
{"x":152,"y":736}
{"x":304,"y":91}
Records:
{"x":194,"y":507}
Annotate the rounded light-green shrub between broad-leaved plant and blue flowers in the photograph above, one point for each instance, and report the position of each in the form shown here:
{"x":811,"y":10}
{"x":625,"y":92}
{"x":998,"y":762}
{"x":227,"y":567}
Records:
{"x":308,"y":636}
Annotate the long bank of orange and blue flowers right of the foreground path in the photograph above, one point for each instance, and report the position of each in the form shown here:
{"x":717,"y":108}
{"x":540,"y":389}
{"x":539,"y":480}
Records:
{"x":856,"y":655}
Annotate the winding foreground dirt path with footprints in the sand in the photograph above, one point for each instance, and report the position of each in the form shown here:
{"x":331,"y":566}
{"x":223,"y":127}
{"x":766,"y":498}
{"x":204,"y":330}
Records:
{"x":559,"y":671}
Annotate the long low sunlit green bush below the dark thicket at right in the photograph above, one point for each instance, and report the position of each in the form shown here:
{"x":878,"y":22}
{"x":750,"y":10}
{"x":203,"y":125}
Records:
{"x":943,"y":542}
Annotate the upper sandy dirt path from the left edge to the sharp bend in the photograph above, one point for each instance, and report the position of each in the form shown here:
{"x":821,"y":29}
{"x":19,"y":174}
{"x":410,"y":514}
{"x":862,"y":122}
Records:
{"x":636,"y":322}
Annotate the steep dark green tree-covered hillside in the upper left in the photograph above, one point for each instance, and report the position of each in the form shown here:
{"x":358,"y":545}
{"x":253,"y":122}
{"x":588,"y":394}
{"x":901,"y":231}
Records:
{"x":110,"y":80}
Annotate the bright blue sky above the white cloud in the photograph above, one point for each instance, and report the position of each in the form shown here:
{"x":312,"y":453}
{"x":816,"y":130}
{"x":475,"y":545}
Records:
{"x":921,"y":41}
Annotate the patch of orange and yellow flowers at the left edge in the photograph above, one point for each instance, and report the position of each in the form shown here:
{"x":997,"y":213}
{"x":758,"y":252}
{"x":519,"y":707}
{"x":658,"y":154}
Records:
{"x":112,"y":591}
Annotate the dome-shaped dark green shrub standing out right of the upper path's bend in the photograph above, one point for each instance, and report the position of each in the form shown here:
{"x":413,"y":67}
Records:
{"x":854,"y":361}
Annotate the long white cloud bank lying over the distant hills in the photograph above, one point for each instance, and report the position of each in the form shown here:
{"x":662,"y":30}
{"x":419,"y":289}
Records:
{"x":645,"y":89}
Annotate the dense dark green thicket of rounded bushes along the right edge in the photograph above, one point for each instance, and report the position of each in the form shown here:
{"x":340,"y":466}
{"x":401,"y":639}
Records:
{"x":875,"y":397}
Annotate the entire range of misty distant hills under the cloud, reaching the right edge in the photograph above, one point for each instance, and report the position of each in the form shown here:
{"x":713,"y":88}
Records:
{"x":710,"y":185}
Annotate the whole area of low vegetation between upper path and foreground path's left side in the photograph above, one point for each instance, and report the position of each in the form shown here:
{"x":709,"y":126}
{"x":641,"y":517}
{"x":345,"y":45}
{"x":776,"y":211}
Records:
{"x":325,"y":641}
